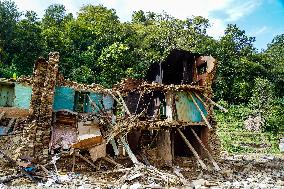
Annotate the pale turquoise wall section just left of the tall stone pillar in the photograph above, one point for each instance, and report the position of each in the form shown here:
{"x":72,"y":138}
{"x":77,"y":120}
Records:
{"x":23,"y":95}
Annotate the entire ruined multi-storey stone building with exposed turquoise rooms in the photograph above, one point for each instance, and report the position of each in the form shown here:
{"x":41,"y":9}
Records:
{"x":152,"y":121}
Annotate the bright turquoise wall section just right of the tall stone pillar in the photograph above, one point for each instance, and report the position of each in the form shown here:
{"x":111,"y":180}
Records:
{"x":64,"y":98}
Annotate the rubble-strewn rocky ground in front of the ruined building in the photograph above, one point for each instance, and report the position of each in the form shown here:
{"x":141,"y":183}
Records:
{"x":241,"y":171}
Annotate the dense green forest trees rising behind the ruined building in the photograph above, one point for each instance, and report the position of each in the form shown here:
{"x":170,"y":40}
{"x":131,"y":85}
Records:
{"x":95,"y":46}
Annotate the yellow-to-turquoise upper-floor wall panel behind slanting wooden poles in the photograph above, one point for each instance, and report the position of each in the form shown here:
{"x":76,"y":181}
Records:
{"x":186,"y":110}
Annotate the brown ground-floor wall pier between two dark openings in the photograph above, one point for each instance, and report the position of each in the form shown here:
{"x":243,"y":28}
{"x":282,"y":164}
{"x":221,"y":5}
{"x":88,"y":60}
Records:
{"x":165,"y":147}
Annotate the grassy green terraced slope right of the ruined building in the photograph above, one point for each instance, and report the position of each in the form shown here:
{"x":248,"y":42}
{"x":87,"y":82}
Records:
{"x":236,"y":139}
